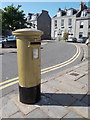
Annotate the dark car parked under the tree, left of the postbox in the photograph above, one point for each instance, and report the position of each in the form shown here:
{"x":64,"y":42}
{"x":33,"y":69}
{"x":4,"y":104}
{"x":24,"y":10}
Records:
{"x":10,"y":41}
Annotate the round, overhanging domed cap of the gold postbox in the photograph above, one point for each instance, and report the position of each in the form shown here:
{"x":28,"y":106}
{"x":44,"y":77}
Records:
{"x":27,"y":32}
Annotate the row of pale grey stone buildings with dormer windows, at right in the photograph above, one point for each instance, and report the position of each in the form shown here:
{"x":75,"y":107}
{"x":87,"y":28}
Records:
{"x":75,"y":22}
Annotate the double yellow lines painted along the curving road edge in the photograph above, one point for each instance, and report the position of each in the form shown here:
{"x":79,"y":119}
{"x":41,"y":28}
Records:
{"x":43,"y":71}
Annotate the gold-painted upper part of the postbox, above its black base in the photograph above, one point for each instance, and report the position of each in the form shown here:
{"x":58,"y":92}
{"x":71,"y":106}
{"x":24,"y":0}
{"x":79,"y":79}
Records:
{"x":28,"y":68}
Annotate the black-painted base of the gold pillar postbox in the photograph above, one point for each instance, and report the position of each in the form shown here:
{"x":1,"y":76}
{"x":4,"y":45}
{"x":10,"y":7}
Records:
{"x":29,"y":95}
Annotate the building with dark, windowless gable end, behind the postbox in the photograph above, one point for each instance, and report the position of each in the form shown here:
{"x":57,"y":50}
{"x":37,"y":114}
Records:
{"x":40,"y":21}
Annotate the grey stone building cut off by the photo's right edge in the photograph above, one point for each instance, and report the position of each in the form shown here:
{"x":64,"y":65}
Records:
{"x":83,"y":21}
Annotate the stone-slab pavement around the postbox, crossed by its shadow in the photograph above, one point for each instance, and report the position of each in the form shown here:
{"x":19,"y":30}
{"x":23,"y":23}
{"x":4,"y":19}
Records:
{"x":64,"y":95}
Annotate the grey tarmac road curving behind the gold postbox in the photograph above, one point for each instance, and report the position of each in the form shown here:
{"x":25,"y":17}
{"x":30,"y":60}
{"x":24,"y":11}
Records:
{"x":52,"y":54}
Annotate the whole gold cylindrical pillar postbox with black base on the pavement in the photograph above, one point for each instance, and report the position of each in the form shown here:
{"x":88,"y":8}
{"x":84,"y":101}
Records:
{"x":28,"y":57}
